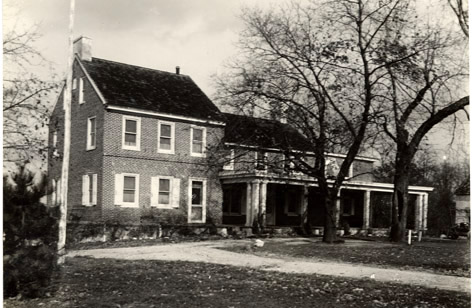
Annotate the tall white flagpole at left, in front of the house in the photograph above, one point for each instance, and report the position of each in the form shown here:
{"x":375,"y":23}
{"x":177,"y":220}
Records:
{"x":65,"y":161}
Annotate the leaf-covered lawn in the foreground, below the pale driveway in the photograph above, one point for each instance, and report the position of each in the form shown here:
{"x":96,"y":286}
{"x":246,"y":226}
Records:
{"x":86,"y":282}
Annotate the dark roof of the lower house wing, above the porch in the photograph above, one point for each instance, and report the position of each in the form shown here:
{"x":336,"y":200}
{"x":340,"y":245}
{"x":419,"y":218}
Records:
{"x":263,"y":133}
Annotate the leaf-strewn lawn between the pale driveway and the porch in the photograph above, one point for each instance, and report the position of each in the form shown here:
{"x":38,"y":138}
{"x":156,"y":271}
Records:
{"x":444,"y":257}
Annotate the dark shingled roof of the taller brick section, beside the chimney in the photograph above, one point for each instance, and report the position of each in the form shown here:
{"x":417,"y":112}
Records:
{"x":132,"y":86}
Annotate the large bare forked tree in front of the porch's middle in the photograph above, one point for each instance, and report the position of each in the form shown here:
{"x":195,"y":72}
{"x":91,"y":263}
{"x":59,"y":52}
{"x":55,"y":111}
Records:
{"x":317,"y":65}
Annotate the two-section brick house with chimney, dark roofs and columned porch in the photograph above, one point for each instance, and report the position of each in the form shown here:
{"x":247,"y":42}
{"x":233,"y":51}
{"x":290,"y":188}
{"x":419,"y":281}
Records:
{"x":140,"y":141}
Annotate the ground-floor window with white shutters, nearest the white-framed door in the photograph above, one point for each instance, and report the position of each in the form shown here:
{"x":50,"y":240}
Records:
{"x":165,"y":192}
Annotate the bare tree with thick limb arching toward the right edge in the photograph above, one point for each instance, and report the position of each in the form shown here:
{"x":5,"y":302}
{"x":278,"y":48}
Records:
{"x":419,"y":93}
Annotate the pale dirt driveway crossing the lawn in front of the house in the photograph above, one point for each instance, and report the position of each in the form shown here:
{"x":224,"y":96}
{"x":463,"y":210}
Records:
{"x":208,"y":252}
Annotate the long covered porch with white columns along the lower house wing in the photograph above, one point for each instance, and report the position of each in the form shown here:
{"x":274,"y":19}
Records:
{"x":282,"y":202}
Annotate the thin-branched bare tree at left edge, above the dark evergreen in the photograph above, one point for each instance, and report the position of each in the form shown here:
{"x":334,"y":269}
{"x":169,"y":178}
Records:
{"x":26,"y":98}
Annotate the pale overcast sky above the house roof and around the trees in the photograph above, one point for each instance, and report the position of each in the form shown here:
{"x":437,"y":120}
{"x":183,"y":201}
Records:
{"x":198,"y":36}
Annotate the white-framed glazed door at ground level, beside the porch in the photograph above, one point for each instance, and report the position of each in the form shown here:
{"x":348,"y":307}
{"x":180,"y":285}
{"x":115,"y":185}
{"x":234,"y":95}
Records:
{"x":196,"y":200}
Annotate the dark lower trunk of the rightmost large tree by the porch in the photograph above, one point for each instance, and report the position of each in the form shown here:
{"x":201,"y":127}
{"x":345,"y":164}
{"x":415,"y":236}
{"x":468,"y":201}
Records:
{"x":400,"y":200}
